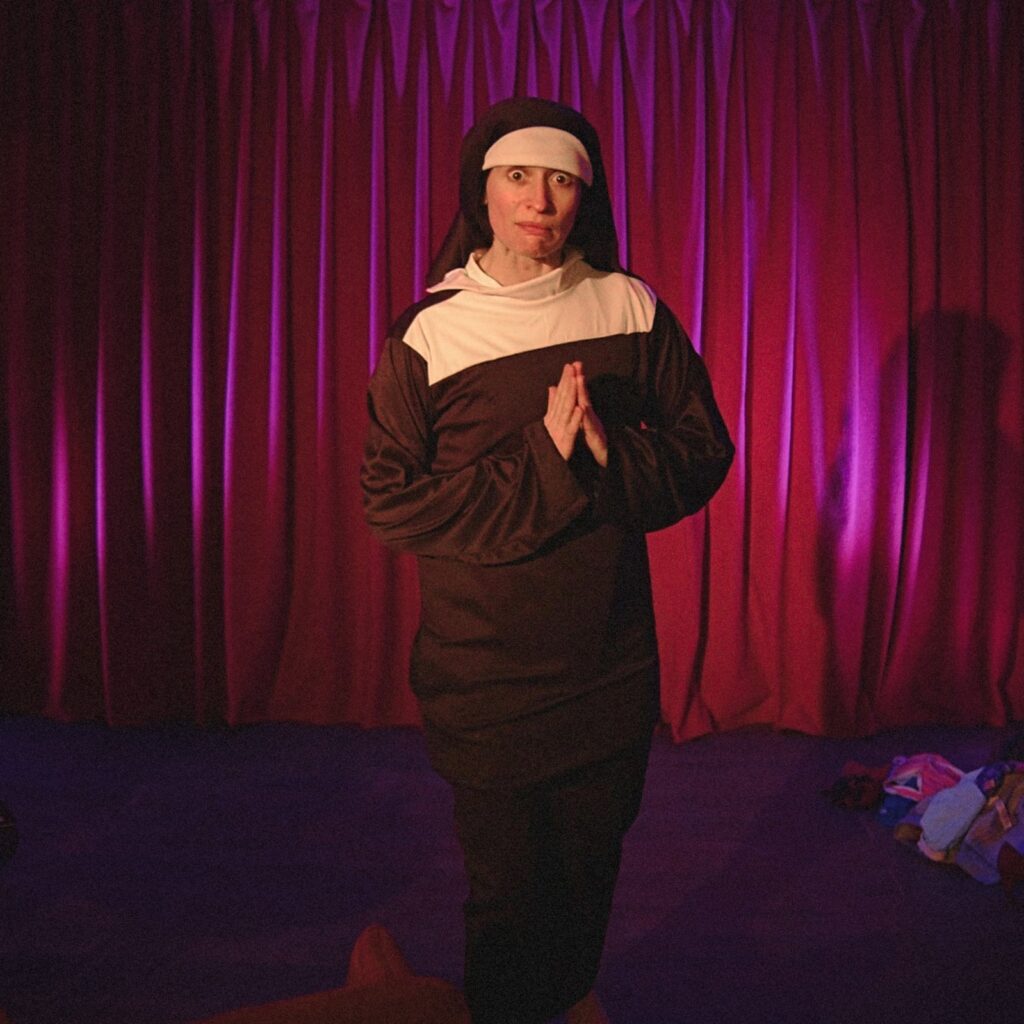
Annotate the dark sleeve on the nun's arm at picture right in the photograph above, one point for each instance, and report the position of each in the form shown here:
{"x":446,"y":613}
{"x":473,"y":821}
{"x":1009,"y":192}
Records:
{"x":671,"y":465}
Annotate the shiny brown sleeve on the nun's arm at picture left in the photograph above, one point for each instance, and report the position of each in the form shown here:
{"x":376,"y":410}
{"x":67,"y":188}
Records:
{"x":500,"y":506}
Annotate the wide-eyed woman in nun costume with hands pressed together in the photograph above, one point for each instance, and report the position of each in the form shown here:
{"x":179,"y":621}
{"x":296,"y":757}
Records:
{"x":530,"y":420}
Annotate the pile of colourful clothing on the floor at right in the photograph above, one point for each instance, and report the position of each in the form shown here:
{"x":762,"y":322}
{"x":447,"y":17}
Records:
{"x":972,"y":820}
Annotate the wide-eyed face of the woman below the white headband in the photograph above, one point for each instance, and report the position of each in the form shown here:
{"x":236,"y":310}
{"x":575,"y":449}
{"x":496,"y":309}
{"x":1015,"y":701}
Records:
{"x":532,"y":209}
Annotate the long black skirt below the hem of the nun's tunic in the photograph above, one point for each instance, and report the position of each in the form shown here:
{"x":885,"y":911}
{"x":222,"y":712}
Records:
{"x":542,"y":865}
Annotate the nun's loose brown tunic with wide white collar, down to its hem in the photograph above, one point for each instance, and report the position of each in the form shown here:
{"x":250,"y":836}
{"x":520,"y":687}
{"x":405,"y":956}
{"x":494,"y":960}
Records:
{"x":537,"y":651}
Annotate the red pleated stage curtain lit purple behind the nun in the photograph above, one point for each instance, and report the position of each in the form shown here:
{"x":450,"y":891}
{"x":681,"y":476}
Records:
{"x":212,"y":210}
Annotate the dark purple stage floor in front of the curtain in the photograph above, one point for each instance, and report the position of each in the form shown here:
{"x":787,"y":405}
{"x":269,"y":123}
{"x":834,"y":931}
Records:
{"x":167,"y":874}
